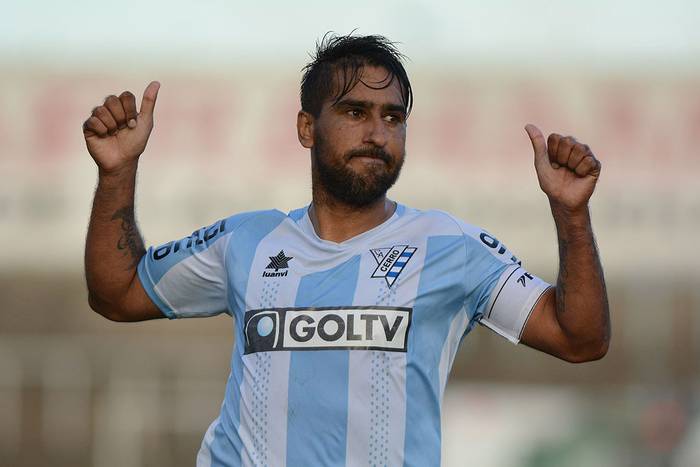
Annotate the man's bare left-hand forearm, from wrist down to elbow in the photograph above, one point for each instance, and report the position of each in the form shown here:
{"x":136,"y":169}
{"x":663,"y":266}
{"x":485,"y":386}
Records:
{"x":114,"y":245}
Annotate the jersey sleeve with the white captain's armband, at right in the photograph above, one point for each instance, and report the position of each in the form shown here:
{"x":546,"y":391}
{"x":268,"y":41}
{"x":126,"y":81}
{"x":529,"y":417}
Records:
{"x":499,"y":291}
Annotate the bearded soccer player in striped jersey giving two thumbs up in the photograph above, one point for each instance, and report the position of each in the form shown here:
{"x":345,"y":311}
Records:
{"x":347,"y":312}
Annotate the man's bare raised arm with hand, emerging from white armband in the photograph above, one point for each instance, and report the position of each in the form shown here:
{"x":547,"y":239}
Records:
{"x":572,"y":322}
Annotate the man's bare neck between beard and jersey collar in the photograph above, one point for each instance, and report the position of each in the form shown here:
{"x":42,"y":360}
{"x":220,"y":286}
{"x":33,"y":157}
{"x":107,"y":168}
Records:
{"x":336,"y":222}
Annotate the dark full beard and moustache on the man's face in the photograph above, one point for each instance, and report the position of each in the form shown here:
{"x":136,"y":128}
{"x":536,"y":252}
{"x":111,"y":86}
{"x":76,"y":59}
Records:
{"x":346,"y":185}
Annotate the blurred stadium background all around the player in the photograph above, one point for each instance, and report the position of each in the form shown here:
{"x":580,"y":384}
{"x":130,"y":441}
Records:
{"x":78,"y":390}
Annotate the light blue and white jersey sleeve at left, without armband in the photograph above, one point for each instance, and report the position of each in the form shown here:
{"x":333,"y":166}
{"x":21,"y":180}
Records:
{"x":187,"y":277}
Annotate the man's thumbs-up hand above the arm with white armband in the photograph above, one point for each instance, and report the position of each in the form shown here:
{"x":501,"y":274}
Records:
{"x":566,"y":169}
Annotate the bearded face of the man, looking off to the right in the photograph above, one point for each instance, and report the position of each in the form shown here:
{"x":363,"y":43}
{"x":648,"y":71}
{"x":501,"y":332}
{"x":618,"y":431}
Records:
{"x":359,"y":142}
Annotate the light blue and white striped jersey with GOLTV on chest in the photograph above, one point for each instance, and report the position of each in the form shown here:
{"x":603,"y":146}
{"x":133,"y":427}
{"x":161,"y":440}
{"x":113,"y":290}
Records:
{"x":342,"y":350}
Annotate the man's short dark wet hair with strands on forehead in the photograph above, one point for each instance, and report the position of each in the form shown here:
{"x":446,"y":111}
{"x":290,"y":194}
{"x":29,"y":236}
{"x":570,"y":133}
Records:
{"x":343,"y":57}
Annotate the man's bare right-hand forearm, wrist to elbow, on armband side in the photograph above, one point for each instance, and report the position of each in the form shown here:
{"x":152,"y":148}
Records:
{"x":581,"y":297}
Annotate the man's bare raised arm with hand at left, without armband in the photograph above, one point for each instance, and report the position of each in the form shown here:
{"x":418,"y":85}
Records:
{"x":116,"y":135}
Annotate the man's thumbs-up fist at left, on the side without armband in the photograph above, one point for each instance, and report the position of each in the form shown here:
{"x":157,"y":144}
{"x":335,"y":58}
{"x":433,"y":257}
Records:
{"x":116,"y":133}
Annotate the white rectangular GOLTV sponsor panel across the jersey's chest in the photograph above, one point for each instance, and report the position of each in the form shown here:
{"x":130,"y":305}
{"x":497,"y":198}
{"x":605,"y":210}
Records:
{"x":350,"y":328}
